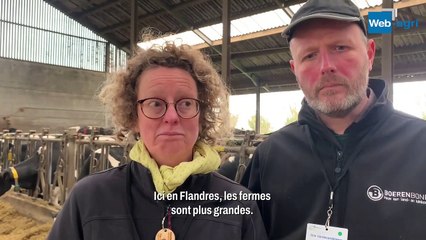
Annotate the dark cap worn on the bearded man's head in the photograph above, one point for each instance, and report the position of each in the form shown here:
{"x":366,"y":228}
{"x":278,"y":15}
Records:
{"x":342,"y":10}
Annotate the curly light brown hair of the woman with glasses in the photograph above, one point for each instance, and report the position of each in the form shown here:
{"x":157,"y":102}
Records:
{"x":118,"y":93}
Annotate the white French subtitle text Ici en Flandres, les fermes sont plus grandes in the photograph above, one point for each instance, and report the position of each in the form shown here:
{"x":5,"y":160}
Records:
{"x":215,"y":211}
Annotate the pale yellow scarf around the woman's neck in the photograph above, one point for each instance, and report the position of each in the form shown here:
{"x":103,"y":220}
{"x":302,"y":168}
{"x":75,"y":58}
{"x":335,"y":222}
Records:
{"x":166,"y":179}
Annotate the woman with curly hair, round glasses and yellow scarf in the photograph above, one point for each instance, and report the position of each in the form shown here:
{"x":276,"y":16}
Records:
{"x":172,"y":98}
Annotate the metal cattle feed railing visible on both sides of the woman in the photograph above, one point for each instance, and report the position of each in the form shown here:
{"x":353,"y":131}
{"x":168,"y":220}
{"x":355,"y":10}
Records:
{"x":62,"y":157}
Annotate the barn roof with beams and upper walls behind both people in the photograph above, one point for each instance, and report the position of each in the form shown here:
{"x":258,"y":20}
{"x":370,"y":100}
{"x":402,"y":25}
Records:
{"x":51,"y":71}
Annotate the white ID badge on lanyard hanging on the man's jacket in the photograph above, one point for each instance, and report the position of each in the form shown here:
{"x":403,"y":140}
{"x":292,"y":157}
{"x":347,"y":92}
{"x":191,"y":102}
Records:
{"x":321,"y":232}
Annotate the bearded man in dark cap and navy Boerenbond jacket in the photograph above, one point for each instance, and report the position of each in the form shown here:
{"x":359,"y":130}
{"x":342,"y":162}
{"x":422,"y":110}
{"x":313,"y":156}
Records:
{"x":352,"y":167}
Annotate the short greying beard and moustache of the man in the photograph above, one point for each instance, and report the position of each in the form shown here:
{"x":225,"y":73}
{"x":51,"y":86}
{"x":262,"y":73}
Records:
{"x":337,"y":107}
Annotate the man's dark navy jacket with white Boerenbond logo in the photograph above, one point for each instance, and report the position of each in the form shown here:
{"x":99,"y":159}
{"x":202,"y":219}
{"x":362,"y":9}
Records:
{"x":377,"y":171}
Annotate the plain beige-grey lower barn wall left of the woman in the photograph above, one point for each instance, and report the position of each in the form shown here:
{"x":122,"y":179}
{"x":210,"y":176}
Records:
{"x":37,"y":96}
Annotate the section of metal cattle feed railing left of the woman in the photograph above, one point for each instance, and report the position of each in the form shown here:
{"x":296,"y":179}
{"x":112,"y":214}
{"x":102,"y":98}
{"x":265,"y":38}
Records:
{"x":61,"y":158}
